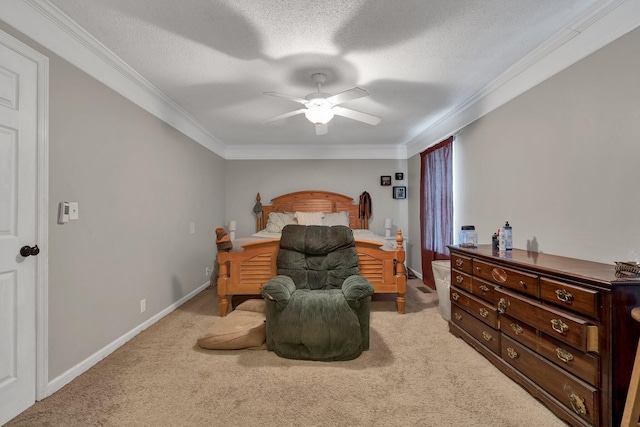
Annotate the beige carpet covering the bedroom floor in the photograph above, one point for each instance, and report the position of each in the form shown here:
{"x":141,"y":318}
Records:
{"x":415,"y":374}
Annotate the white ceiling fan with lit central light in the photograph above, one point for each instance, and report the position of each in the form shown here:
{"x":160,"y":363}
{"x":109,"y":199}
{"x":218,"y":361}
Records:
{"x":321,"y":107}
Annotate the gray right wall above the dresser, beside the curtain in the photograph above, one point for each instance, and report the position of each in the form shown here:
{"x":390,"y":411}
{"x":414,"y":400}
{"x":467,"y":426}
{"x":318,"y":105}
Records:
{"x":560,"y":162}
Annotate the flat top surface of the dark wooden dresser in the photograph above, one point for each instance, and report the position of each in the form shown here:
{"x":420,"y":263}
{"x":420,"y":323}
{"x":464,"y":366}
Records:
{"x":572,"y":268}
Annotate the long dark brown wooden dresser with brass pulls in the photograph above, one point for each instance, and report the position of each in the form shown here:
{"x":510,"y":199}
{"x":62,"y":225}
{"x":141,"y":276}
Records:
{"x":560,"y":327}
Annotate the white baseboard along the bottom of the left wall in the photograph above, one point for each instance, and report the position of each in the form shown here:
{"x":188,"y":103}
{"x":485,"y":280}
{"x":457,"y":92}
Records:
{"x":68,"y":376}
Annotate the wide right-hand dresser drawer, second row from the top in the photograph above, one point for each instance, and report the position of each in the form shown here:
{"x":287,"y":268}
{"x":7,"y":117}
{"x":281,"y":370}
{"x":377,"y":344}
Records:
{"x":570,"y":329}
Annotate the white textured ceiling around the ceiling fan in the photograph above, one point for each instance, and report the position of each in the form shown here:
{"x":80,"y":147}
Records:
{"x":418,"y":59}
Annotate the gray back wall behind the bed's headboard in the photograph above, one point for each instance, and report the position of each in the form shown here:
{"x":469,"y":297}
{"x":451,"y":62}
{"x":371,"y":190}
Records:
{"x":272,"y":178}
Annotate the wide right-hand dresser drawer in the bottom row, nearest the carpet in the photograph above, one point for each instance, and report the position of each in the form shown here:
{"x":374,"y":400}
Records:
{"x":581,"y":398}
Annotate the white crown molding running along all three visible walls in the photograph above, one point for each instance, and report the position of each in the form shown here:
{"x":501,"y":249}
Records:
{"x":47,"y":25}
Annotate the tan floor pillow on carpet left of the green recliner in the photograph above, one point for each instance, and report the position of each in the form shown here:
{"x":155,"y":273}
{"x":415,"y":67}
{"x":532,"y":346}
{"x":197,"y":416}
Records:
{"x":244,"y":327}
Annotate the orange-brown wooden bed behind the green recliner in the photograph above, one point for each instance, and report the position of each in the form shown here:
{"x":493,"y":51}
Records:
{"x":252,"y":261}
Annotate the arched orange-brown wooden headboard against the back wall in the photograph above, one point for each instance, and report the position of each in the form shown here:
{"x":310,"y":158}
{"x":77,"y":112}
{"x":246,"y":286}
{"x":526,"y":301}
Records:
{"x":312,"y":201}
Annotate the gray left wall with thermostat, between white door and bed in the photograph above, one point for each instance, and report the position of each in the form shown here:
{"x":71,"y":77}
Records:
{"x":139,"y":184}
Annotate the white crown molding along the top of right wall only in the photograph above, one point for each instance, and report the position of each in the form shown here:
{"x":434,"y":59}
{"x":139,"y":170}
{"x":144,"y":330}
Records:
{"x":601,"y":25}
